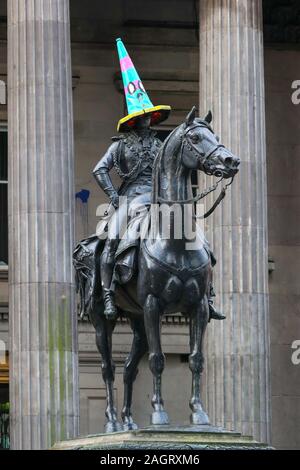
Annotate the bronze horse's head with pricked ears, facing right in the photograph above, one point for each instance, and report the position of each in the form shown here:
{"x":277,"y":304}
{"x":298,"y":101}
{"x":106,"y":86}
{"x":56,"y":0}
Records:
{"x":203,"y":151}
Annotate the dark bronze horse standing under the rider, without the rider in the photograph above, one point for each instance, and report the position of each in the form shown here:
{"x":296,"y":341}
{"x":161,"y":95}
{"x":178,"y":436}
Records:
{"x":170,"y":276}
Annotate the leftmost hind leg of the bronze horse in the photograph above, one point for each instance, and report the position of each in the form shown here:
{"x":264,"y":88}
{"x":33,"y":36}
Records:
{"x":104,"y":330}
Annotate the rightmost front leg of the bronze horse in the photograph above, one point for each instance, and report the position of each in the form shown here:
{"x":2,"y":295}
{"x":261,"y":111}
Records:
{"x":198,"y":323}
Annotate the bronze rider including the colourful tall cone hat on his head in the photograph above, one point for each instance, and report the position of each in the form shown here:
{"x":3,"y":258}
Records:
{"x":132,"y":155}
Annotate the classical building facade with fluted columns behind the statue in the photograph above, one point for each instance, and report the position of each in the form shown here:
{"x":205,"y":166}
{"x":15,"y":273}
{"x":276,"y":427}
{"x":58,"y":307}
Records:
{"x":60,"y":101}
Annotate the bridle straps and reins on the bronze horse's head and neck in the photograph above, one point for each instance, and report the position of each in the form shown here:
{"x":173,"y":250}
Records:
{"x":186,"y":142}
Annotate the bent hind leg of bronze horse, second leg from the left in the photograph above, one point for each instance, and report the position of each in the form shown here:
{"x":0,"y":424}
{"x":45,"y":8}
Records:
{"x":138,"y":350}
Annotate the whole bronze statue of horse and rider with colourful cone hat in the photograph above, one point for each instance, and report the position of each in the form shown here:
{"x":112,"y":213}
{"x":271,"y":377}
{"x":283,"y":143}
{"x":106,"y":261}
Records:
{"x":120,"y":273}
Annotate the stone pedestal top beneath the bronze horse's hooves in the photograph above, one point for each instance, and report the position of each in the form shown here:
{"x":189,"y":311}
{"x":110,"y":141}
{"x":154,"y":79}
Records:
{"x":165,"y":438}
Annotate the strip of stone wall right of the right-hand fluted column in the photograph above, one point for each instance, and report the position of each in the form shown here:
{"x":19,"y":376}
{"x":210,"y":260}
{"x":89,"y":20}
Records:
{"x":283,"y":158}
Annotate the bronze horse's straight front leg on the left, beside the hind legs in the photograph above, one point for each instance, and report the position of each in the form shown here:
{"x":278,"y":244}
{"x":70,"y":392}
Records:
{"x":152,"y":316}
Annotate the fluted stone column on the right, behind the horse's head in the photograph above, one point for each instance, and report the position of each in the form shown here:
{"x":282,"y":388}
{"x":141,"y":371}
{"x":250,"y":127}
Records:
{"x":232,"y":86}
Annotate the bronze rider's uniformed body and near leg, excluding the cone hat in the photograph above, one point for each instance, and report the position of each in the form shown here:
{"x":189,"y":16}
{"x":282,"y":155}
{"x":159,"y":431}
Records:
{"x":132,"y":155}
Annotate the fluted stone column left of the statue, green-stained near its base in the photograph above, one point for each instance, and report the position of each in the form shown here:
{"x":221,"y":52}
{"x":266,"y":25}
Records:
{"x":43,"y":325}
